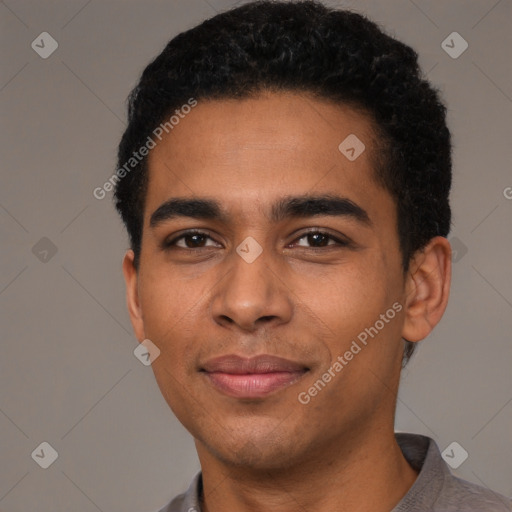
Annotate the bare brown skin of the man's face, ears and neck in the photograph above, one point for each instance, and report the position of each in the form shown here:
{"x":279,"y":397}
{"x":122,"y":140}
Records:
{"x":296,"y":301}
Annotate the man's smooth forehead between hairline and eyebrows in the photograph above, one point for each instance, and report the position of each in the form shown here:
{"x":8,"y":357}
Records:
{"x":249,"y":153}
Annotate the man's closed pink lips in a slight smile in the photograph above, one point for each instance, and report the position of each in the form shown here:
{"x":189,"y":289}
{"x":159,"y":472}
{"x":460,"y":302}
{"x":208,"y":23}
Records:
{"x":254,"y":377}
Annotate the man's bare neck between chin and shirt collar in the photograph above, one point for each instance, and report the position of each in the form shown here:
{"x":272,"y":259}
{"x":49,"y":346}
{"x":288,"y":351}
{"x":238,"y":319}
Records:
{"x":361,"y":475}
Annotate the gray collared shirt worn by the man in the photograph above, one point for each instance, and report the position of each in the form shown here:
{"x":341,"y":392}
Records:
{"x":435,"y":488}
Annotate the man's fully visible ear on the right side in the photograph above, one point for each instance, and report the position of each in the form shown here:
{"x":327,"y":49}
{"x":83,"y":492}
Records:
{"x":427,"y":289}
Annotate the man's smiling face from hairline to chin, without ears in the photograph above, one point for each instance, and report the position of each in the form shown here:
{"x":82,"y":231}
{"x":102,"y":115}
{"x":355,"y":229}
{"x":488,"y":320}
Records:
{"x":319,"y":282}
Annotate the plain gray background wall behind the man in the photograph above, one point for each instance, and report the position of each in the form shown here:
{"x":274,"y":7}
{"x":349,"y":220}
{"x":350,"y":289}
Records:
{"x":68,"y":375}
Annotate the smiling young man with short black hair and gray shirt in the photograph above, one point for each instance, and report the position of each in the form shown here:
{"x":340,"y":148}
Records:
{"x":284,"y":180}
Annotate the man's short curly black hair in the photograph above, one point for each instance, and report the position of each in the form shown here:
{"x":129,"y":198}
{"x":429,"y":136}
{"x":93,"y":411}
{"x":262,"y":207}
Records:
{"x":305,"y":47}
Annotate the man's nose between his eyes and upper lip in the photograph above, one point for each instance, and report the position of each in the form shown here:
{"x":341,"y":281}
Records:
{"x":251,"y":295}
